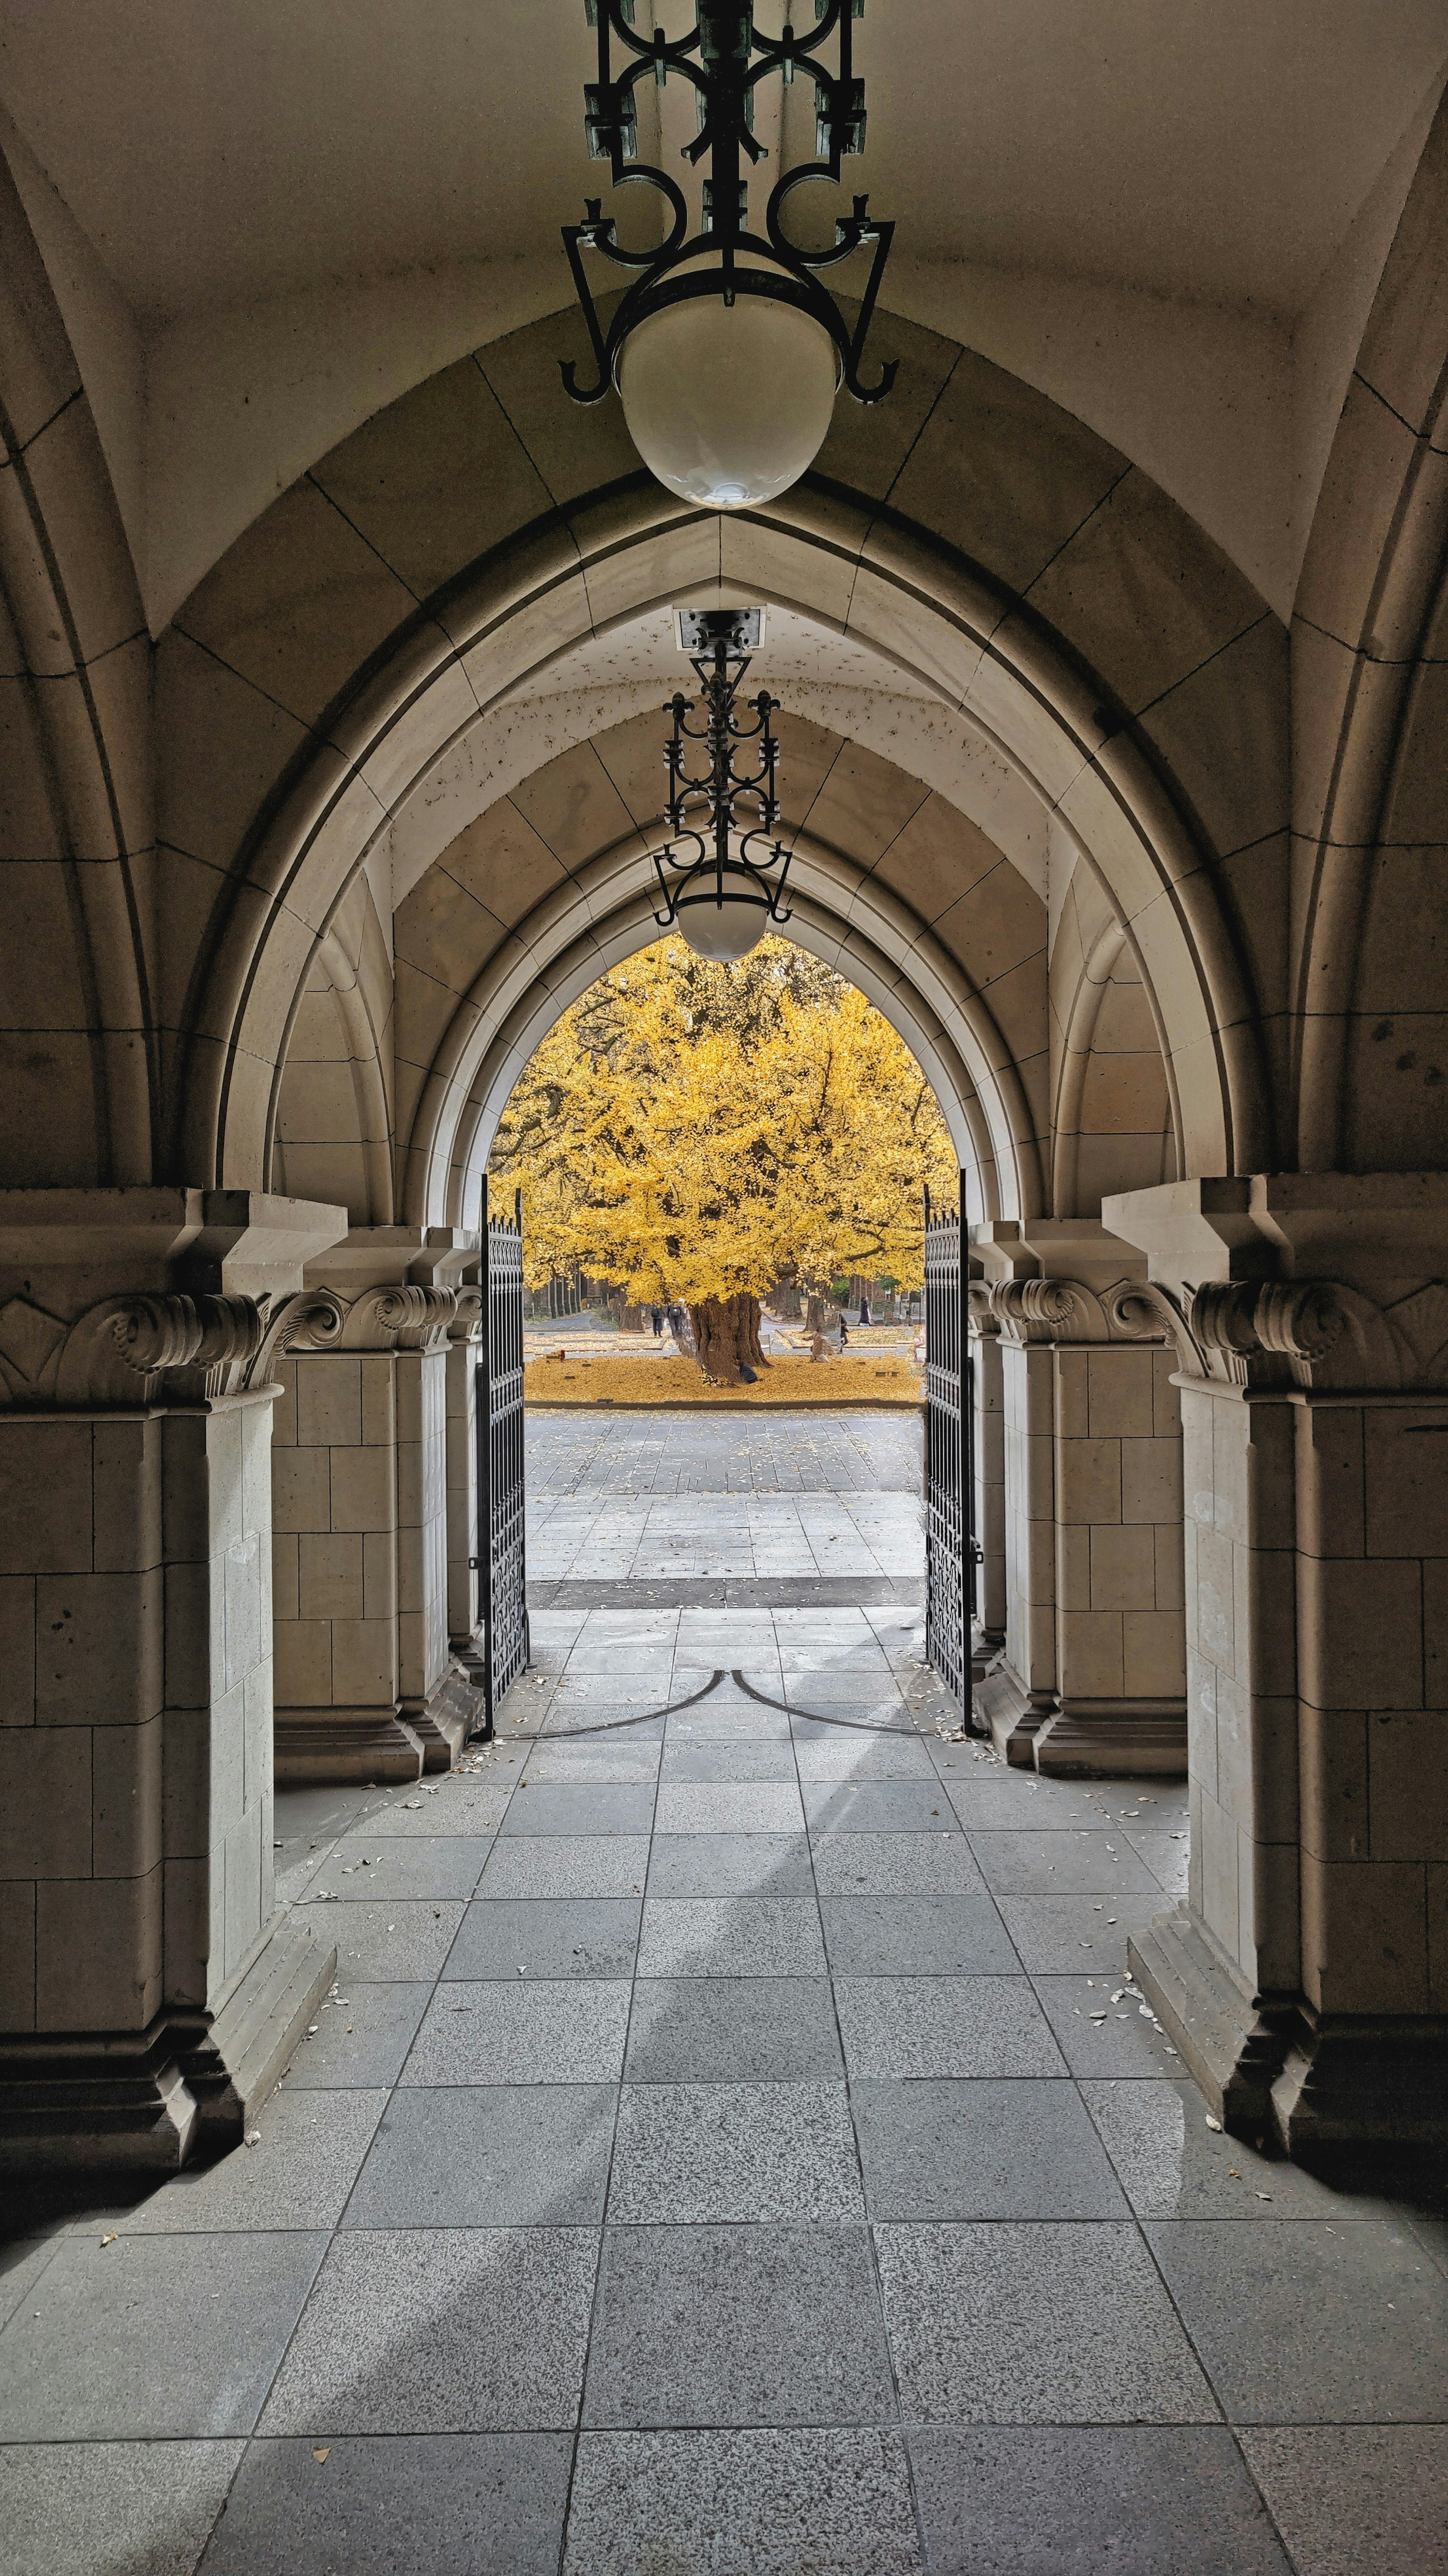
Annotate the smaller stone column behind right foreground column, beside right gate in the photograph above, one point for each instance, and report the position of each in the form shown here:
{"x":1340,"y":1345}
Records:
{"x":1094,"y":1665}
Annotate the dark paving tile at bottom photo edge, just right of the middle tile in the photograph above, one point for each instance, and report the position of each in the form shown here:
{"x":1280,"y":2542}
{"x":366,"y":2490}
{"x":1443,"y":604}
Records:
{"x":1024,"y":2500}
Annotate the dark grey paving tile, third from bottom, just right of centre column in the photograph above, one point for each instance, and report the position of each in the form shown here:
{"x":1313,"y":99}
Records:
{"x":983,"y":2150}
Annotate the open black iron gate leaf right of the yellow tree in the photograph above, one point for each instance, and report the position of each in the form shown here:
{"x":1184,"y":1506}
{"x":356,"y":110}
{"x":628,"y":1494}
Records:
{"x":949,"y":1452}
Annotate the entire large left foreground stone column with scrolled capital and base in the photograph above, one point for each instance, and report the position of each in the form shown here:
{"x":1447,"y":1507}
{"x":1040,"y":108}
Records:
{"x":148,"y":1987}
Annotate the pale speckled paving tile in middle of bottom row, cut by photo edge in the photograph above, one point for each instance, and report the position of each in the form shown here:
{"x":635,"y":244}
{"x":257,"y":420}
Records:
{"x":743,"y":2505}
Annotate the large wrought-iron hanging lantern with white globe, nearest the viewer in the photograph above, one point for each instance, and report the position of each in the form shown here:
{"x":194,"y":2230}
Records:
{"x":728,"y":349}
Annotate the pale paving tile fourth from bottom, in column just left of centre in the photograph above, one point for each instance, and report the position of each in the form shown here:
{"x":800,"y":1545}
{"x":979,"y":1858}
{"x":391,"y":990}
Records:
{"x":532,"y":2031}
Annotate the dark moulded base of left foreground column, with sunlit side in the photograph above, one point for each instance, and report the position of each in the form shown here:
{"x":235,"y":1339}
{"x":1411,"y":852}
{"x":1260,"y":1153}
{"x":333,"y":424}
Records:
{"x":146,"y":2103}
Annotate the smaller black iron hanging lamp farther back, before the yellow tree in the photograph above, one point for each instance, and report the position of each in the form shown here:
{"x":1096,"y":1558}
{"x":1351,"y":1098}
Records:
{"x":723,"y":895}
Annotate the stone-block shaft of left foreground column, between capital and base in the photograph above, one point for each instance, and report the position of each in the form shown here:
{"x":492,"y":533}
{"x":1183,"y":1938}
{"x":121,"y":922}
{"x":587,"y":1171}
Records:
{"x":135,"y":1712}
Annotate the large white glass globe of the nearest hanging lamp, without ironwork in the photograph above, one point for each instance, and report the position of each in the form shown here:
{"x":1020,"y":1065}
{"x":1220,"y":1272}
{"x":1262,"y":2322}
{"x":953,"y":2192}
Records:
{"x":728,"y":403}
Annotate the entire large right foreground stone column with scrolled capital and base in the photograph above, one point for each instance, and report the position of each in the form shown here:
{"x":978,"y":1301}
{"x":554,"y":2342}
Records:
{"x":1308,"y":1975}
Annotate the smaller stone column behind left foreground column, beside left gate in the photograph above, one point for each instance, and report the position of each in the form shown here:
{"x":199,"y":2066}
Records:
{"x":367,"y":1686}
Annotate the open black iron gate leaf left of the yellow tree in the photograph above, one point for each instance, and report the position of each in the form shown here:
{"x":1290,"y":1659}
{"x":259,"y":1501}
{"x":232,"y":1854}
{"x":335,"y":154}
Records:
{"x":504,"y":1573}
